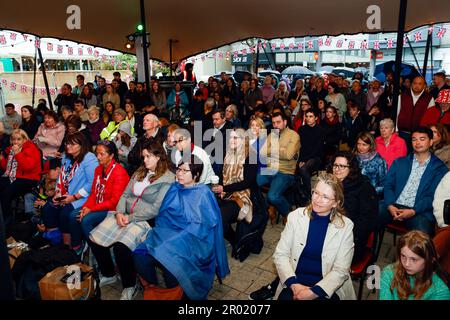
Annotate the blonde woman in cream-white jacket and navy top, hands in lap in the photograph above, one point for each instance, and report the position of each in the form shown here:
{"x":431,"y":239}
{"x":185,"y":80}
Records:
{"x":314,"y":254}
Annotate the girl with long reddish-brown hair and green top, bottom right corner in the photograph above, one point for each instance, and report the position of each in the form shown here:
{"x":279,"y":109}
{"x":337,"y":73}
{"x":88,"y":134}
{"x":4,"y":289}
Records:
{"x":416,"y":274}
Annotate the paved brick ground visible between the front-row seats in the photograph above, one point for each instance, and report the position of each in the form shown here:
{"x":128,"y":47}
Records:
{"x":259,"y":270}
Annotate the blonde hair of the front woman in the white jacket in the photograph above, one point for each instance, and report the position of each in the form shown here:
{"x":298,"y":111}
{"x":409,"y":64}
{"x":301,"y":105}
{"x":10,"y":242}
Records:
{"x":335,"y":184}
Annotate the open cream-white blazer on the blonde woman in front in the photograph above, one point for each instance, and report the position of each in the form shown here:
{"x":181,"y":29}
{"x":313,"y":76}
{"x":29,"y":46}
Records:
{"x":337,"y":254}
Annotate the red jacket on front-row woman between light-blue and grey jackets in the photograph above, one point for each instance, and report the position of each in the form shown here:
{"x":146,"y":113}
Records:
{"x":114,"y":187}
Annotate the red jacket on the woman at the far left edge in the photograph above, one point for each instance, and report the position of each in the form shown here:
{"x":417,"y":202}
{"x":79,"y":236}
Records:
{"x":29,"y":165}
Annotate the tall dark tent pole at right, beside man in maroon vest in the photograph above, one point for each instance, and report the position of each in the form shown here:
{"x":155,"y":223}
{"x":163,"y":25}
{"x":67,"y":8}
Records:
{"x":398,"y":56}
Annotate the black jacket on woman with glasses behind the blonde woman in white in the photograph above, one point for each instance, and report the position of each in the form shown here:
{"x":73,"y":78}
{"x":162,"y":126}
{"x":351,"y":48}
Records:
{"x":361,"y":206}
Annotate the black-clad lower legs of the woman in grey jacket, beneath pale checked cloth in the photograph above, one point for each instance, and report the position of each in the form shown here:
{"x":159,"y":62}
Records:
{"x":124,"y":261}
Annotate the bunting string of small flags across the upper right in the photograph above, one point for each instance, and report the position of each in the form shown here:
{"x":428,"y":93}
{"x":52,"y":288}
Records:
{"x":324,"y":42}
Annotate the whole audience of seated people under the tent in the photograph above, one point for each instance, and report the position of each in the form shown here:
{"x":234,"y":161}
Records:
{"x":166,"y":178}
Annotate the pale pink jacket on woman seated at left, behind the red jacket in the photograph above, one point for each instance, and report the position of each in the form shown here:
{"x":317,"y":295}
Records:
{"x":49,"y":139}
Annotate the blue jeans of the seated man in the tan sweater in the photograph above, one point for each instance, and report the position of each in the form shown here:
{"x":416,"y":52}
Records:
{"x":279,"y":183}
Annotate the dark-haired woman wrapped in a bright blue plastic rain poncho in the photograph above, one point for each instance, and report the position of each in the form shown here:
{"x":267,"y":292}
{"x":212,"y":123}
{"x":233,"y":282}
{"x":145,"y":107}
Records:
{"x":187,"y":240}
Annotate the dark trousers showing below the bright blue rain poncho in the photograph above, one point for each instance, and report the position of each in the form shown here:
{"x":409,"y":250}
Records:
{"x":146,"y":267}
